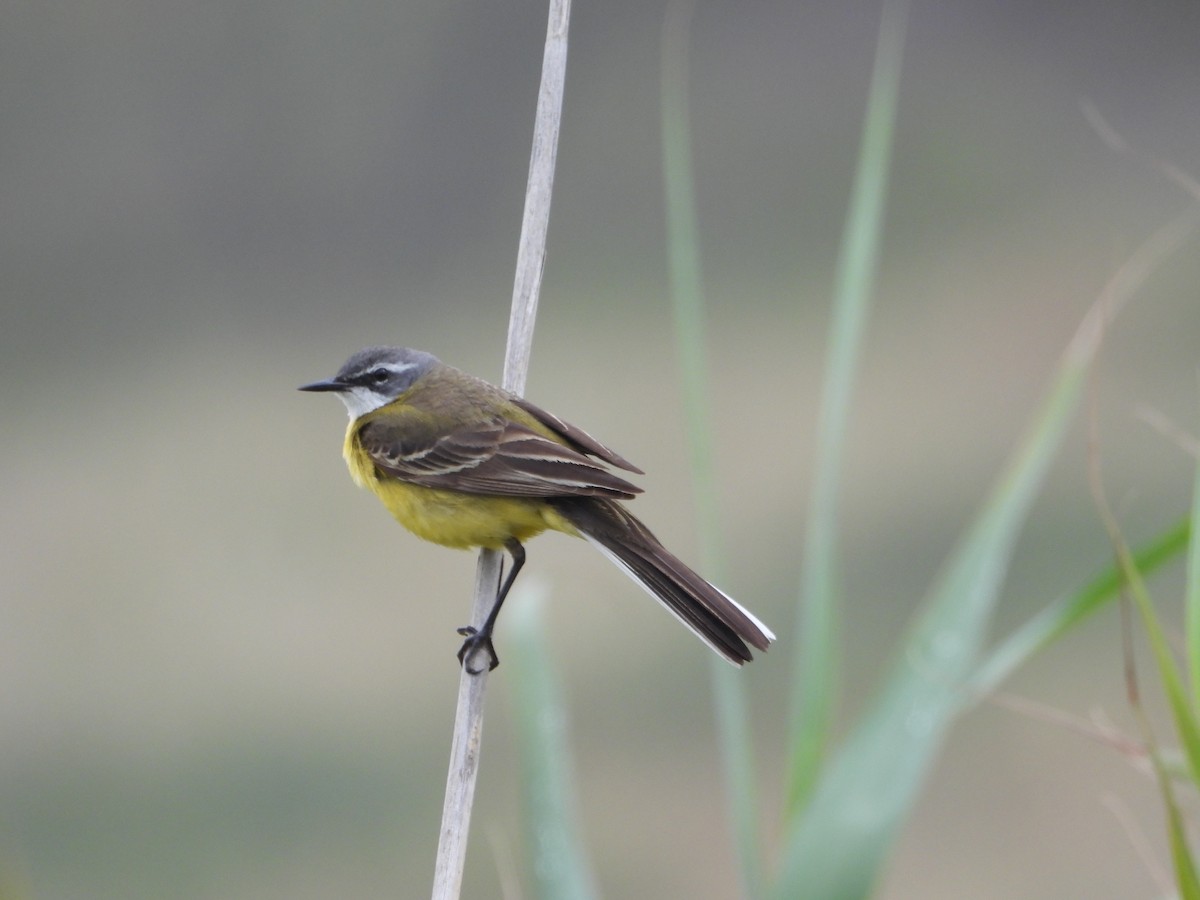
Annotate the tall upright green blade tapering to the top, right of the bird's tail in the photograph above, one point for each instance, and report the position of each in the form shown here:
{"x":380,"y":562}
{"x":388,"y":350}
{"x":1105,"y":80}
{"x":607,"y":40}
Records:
{"x":818,"y":661}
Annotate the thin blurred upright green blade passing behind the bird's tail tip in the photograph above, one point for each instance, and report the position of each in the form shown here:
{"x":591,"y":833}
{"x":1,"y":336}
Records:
{"x":688,"y":298}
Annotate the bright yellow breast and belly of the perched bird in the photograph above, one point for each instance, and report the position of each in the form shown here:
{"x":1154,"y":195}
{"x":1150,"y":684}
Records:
{"x":453,"y":519}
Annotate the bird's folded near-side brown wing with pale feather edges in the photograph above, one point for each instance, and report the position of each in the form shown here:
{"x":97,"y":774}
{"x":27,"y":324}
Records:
{"x":497,"y":458}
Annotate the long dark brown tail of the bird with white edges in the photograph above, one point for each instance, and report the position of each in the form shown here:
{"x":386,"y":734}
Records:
{"x":717,"y":619}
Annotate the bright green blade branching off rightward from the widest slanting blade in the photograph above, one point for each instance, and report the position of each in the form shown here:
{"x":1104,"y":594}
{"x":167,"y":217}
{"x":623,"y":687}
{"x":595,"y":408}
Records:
{"x":1060,"y":617}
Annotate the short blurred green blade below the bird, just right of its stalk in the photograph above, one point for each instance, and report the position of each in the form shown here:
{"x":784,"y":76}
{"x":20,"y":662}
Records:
{"x":557,"y":860}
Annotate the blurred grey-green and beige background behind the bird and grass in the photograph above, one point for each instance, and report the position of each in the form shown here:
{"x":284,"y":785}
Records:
{"x":225,"y":673}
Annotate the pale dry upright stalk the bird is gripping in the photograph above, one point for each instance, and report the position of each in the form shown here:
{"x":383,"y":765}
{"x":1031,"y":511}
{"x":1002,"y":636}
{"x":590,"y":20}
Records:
{"x":531,"y":260}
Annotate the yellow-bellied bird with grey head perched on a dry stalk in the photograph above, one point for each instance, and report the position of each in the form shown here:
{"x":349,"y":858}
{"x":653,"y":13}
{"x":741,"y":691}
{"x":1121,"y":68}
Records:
{"x":464,"y":464}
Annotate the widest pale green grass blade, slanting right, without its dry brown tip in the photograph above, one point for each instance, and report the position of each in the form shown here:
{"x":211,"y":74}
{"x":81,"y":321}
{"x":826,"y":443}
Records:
{"x":839,"y":845}
